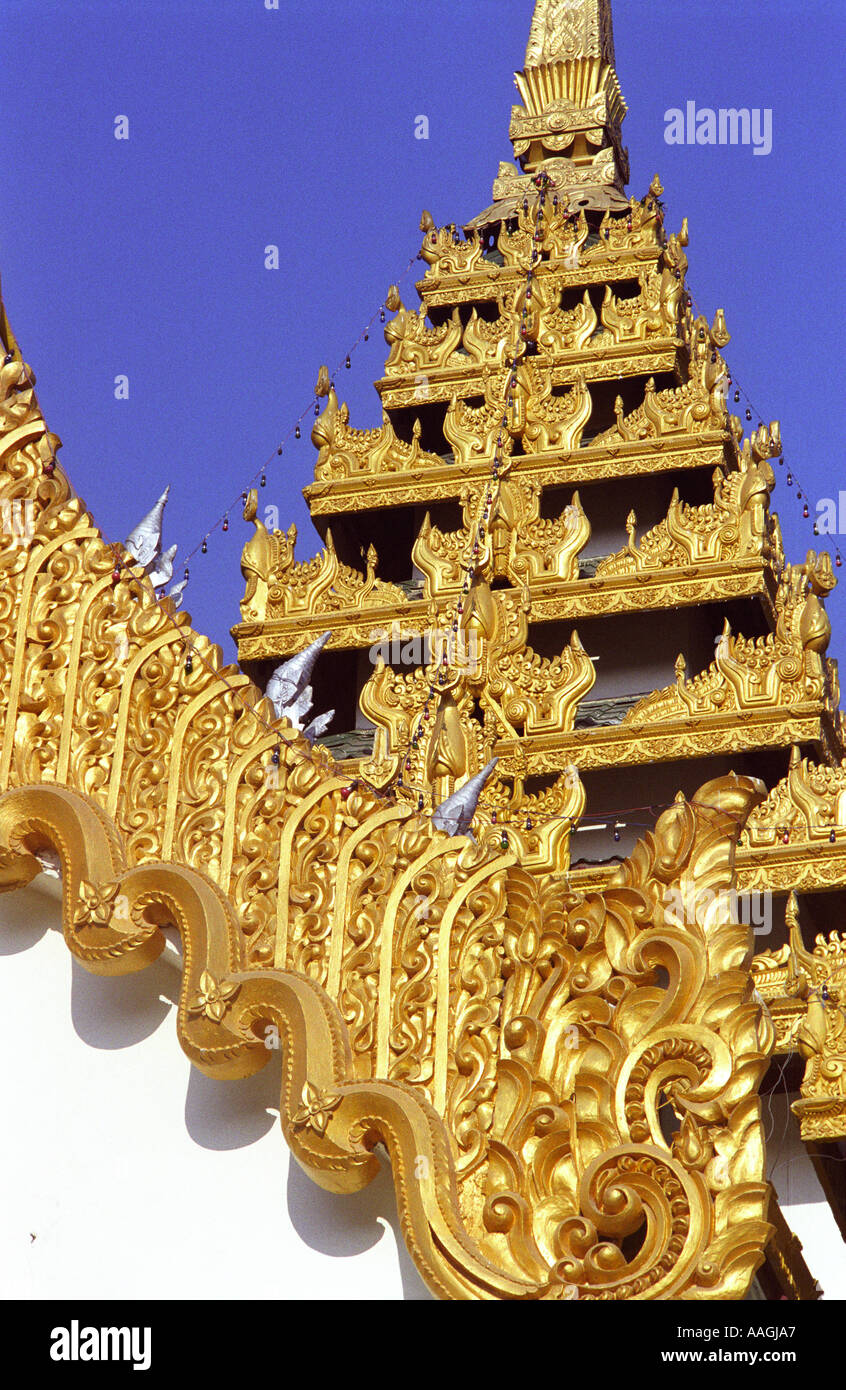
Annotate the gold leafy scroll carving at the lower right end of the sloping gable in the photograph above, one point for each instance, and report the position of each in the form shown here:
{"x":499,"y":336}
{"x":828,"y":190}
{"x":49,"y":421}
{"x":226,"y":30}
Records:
{"x":547,"y":1095}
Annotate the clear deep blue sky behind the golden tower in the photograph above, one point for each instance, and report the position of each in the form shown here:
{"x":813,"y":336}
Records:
{"x":297,"y":127}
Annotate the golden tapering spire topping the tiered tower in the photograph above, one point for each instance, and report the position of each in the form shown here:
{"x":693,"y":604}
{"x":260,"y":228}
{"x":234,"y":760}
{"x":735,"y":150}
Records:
{"x":569,"y":123}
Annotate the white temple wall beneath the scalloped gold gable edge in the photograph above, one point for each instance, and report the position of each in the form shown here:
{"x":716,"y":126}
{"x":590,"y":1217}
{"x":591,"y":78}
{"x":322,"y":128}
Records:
{"x":127,"y":1174}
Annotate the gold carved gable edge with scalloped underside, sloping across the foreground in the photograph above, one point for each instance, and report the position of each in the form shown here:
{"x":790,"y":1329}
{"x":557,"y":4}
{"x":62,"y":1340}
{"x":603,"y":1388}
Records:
{"x":299,"y":908}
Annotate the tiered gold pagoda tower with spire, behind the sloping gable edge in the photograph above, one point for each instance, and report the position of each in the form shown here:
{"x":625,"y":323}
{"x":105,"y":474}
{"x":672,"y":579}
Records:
{"x":558,"y":553}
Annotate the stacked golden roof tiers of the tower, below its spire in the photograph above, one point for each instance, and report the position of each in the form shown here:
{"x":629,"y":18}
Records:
{"x":538,"y":373}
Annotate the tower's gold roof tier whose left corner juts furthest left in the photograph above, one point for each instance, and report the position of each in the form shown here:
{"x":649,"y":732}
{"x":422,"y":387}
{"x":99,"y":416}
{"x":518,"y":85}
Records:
{"x":706,"y":554}
